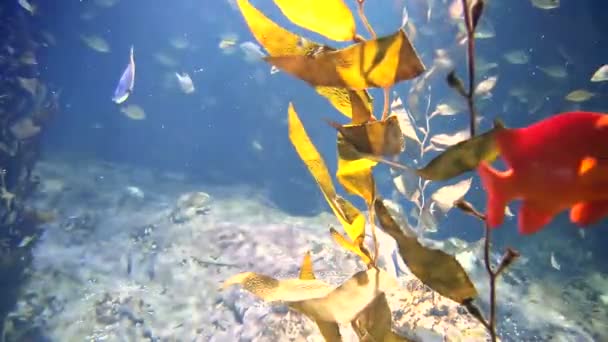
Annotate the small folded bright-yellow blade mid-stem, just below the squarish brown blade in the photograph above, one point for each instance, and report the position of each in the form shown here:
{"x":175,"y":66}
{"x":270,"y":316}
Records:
{"x":355,"y":173}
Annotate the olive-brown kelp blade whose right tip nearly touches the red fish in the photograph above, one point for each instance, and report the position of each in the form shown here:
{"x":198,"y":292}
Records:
{"x":463,"y":157}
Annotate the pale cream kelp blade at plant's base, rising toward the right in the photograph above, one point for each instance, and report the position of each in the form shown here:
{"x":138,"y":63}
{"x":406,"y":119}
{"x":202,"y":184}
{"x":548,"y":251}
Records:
{"x":346,"y":301}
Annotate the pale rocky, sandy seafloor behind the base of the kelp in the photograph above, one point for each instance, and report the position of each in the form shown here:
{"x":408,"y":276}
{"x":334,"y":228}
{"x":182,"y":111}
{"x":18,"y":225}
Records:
{"x":117,"y":265}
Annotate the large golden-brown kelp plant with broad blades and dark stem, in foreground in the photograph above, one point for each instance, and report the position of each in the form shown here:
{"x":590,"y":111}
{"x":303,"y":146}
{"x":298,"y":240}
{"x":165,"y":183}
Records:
{"x":343,"y":76}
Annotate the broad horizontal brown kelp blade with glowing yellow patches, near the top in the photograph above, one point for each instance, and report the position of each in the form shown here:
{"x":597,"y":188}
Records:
{"x":378,"y":63}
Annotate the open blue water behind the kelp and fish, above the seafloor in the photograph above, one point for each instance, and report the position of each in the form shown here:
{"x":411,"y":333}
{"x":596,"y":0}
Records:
{"x":208,"y":134}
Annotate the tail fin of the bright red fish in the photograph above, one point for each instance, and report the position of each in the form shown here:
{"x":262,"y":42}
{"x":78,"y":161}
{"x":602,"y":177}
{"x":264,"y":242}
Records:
{"x":497,"y":185}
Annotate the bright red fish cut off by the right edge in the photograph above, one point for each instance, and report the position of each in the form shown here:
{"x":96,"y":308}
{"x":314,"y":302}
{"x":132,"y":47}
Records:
{"x":556,"y":164}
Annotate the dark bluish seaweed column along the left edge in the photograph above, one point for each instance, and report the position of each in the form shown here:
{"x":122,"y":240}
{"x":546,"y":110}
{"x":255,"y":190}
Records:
{"x":27,"y":105}
